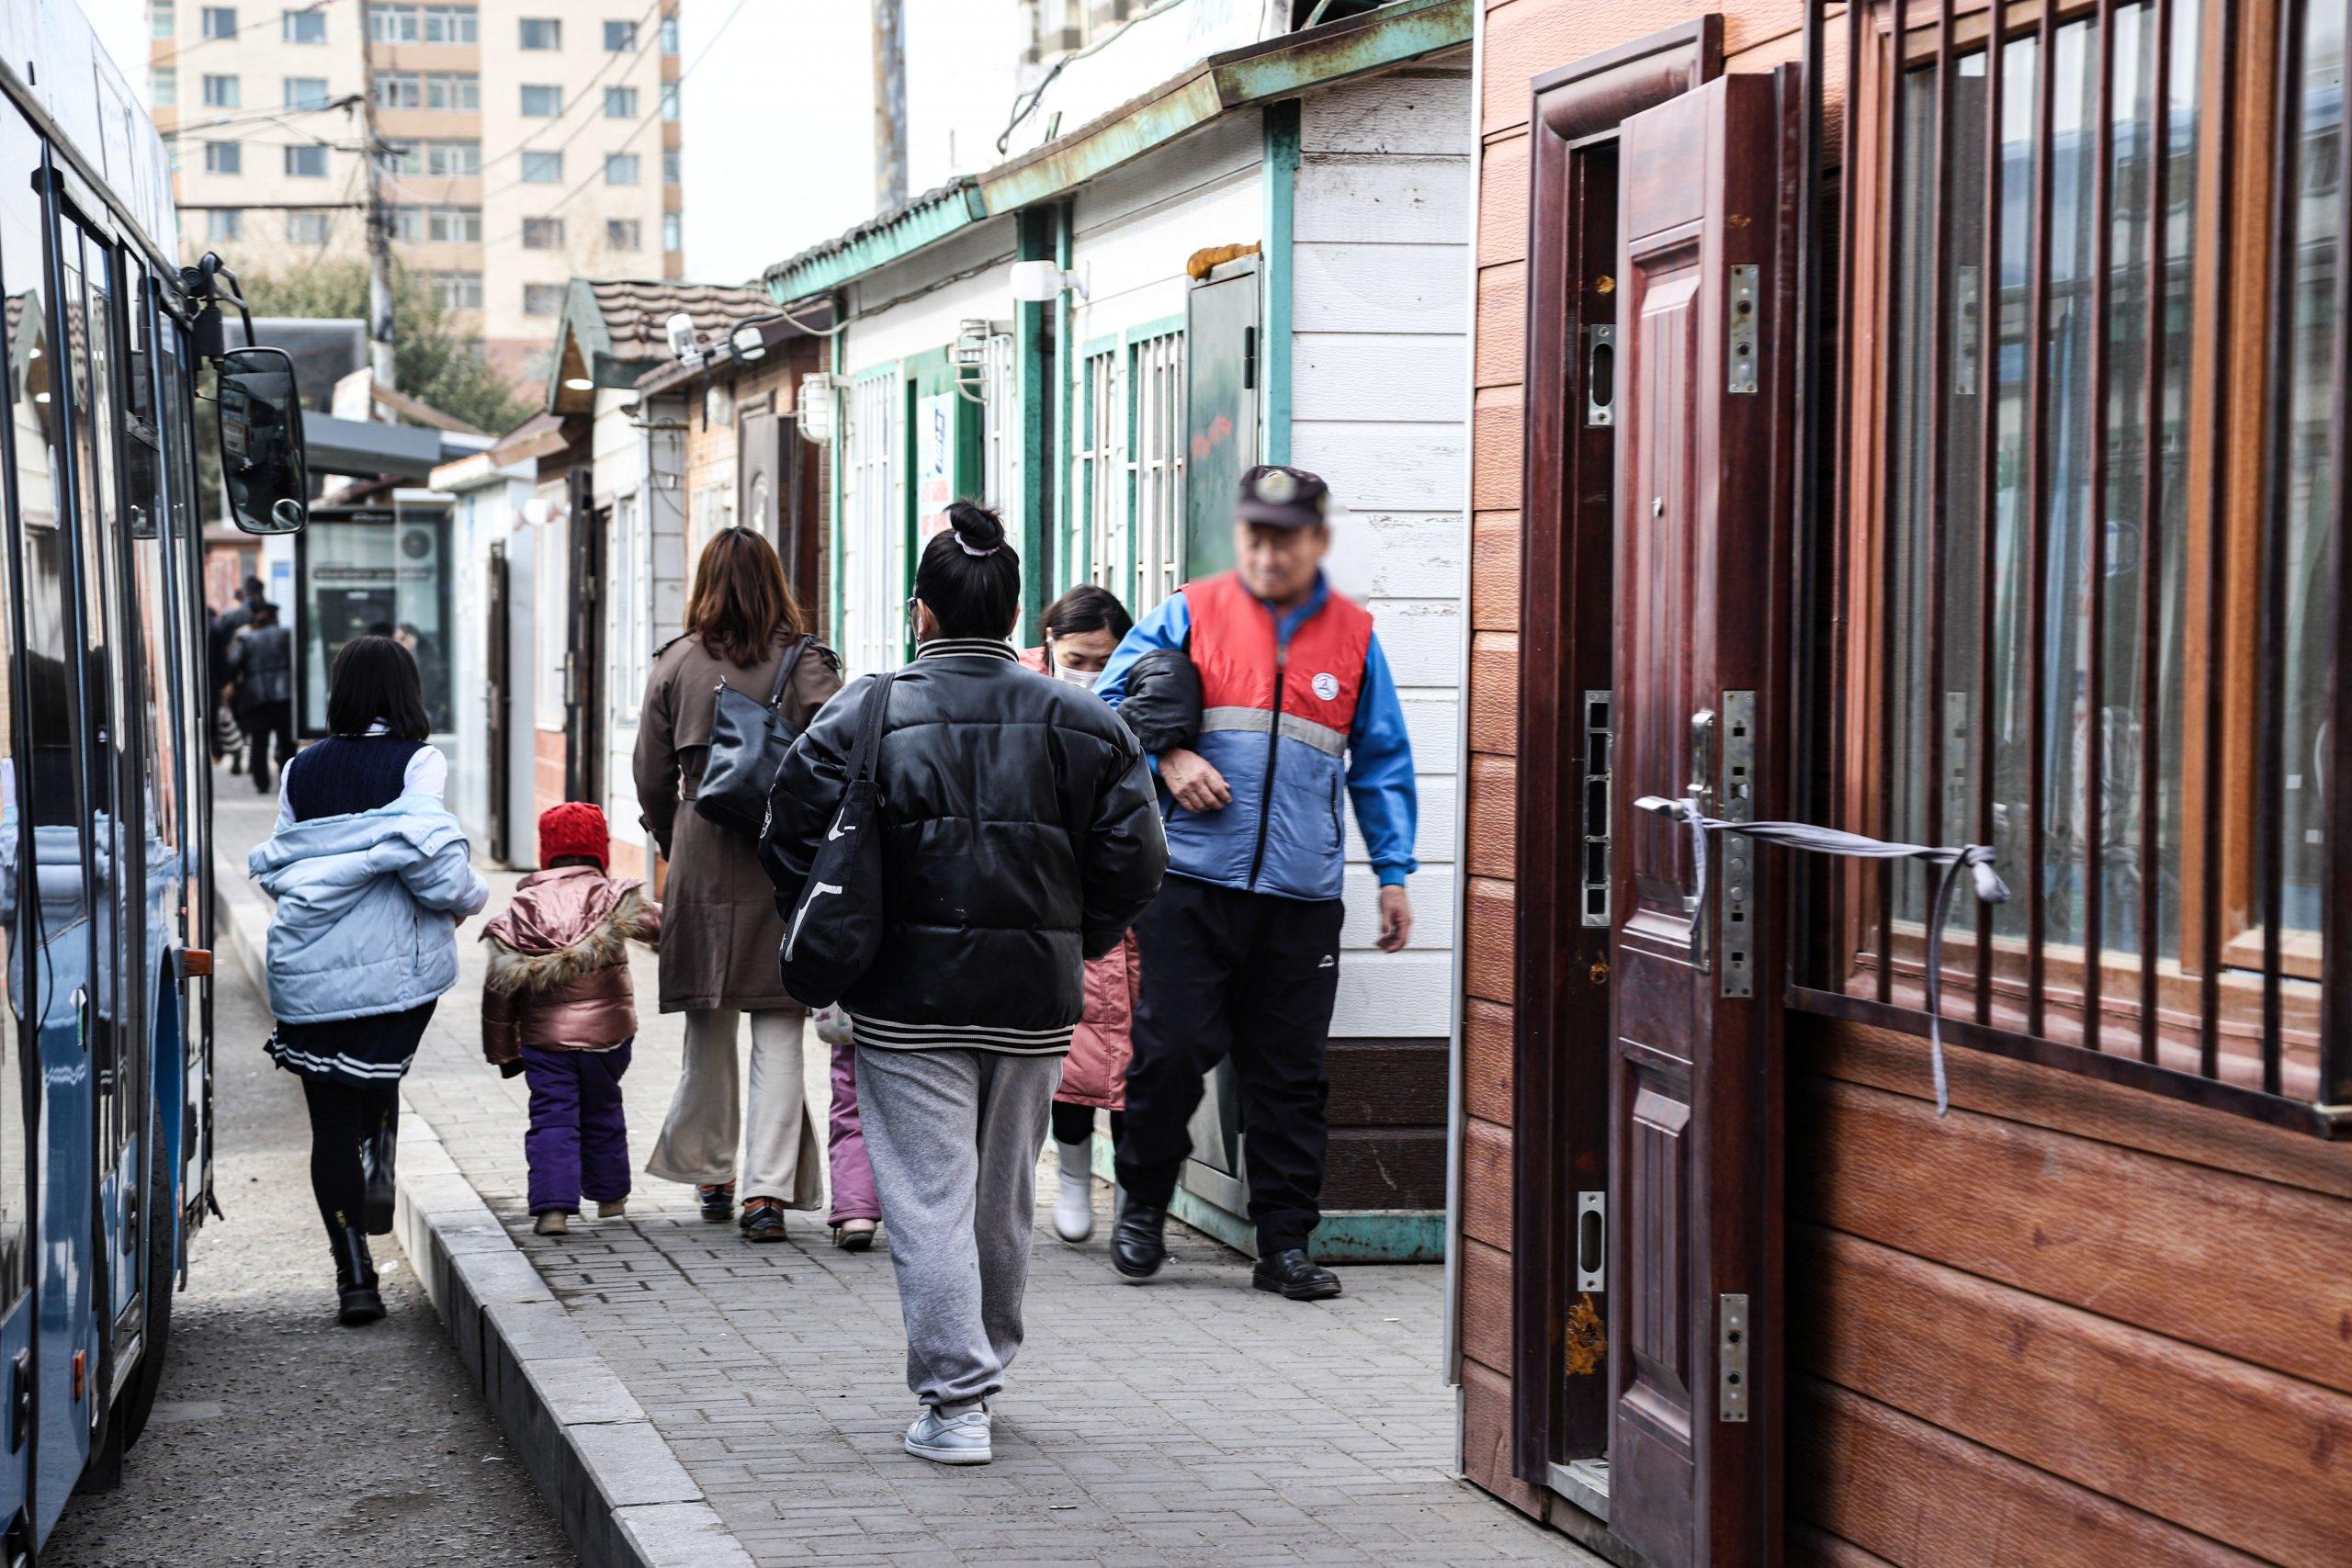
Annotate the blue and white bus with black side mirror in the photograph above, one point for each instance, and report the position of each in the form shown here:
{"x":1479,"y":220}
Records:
{"x":105,"y":784}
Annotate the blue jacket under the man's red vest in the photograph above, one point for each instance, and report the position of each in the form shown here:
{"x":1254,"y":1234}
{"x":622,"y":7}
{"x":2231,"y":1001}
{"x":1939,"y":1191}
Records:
{"x":1379,"y":777}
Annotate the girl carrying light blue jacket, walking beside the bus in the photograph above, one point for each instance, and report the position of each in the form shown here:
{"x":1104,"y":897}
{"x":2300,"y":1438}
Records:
{"x":370,"y":876}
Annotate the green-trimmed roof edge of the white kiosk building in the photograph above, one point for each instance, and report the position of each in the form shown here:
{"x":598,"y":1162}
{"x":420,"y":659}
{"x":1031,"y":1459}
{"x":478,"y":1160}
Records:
{"x":1194,"y":98}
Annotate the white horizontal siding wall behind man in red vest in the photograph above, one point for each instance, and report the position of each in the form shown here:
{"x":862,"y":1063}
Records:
{"x":1379,"y":316}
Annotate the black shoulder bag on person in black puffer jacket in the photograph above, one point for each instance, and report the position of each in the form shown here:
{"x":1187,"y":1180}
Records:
{"x":834,"y":930}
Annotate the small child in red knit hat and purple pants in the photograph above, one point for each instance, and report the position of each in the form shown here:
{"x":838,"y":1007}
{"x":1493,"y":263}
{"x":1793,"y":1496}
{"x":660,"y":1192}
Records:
{"x":559,"y":1007}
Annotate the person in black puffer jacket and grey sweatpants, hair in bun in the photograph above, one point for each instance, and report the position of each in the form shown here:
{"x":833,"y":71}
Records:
{"x":1020,"y":838}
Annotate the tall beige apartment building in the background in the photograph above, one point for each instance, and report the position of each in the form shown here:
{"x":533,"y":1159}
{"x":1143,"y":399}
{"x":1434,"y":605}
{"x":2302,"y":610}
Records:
{"x":523,"y":145}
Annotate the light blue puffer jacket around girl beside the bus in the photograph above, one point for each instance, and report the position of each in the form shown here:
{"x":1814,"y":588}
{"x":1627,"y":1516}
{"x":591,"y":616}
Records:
{"x":366,"y":911}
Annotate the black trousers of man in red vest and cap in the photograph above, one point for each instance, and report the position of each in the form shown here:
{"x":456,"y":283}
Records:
{"x":1250,"y":977}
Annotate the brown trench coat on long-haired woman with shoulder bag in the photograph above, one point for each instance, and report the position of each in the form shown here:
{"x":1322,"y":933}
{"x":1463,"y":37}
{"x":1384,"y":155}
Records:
{"x":719,"y":911}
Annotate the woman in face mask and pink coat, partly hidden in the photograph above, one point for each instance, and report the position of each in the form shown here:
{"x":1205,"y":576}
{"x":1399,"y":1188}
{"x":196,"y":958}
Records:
{"x":1083,"y":631}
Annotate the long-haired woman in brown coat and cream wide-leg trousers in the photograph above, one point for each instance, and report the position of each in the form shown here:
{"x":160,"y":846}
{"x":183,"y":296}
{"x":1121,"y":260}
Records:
{"x":721,"y":927}
